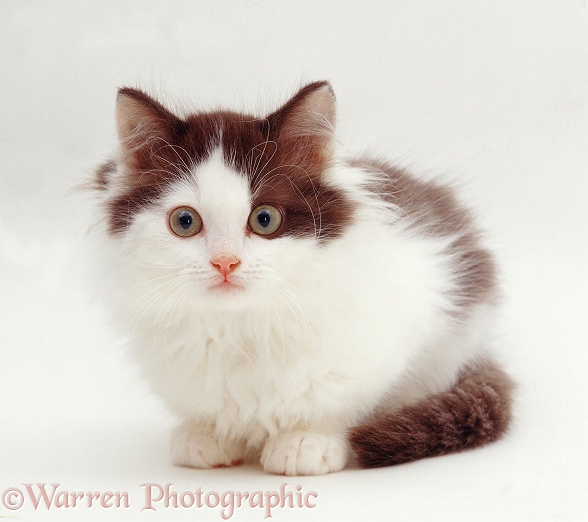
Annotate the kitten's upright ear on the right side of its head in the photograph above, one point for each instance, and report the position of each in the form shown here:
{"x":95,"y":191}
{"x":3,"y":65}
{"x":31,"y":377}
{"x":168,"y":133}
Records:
{"x":309,"y":114}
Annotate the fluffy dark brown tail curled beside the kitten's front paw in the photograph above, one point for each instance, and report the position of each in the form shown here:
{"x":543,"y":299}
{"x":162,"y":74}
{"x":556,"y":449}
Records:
{"x":474,"y":412}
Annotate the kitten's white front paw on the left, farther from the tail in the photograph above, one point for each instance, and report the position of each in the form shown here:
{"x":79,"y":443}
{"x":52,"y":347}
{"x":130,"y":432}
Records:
{"x":199,"y":447}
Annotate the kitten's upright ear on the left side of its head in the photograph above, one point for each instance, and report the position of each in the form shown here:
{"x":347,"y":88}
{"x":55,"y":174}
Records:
{"x":140,"y":120}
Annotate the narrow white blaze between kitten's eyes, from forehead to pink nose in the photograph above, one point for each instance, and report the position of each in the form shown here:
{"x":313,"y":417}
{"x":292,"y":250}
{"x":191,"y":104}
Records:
{"x":224,"y":203}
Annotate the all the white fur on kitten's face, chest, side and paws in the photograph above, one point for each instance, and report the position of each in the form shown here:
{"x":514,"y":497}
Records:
{"x":319,"y":338}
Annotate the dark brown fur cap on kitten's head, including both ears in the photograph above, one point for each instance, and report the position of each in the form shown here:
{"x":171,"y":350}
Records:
{"x":283,"y":156}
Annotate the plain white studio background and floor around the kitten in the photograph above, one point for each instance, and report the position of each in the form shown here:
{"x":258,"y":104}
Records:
{"x":491,"y":94}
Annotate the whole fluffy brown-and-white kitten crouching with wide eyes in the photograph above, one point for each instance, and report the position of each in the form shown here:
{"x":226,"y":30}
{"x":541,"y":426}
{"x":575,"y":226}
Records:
{"x":293,"y":305}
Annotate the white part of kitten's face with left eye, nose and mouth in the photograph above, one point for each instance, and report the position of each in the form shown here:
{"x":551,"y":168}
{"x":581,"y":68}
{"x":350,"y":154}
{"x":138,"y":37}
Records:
{"x":199,"y":230}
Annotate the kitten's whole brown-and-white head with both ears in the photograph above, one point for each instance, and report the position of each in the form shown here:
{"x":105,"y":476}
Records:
{"x":220,"y":208}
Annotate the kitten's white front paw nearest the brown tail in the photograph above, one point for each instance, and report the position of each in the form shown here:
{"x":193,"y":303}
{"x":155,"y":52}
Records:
{"x":304,"y":453}
